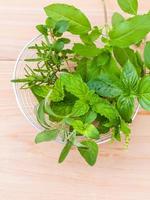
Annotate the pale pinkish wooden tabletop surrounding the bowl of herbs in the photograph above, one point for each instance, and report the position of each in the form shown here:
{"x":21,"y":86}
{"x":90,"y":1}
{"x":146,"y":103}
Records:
{"x":31,"y":172}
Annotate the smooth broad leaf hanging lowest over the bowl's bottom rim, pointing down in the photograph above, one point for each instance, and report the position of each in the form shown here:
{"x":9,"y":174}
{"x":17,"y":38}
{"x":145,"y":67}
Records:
{"x":90,"y":154}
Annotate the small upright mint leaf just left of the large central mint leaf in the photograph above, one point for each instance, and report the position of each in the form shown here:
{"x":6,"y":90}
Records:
{"x":57,"y":93}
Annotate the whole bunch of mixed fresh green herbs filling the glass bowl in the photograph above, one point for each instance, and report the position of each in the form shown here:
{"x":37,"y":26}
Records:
{"x":85,"y":91}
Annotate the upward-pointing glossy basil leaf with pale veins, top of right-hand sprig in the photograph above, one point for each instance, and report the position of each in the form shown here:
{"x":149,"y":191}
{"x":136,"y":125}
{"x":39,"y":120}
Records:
{"x":129,"y":77}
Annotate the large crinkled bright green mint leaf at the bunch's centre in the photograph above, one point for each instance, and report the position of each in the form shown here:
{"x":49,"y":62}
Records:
{"x":75,"y":85}
